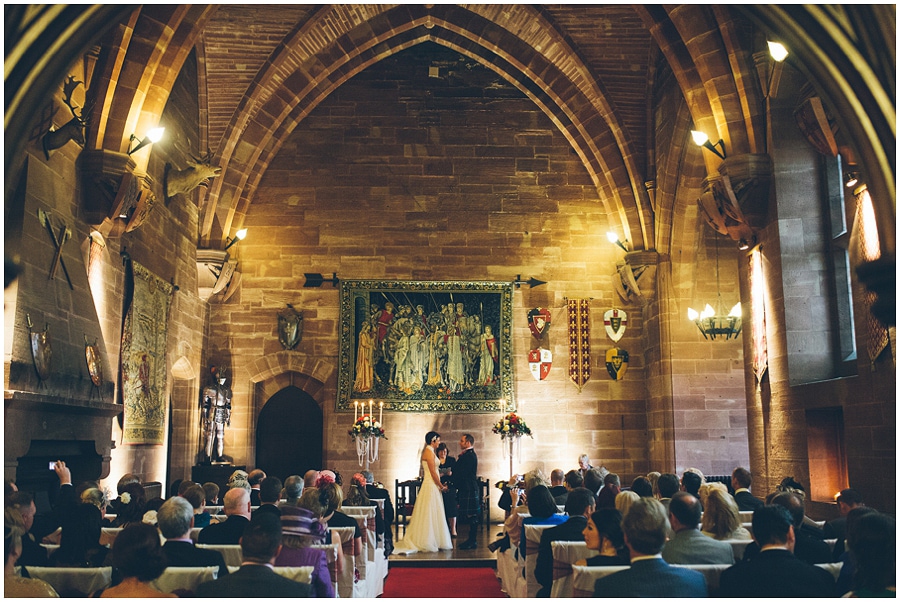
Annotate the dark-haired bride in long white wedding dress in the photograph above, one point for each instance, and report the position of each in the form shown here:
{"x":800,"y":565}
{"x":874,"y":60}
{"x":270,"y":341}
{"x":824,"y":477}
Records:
{"x":427,"y":530}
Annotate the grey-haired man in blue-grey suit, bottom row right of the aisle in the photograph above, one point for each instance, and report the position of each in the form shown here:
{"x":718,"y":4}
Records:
{"x":644,"y":531}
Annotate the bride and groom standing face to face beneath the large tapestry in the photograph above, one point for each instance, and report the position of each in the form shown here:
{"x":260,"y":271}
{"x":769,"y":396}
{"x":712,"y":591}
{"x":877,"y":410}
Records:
{"x":427,"y":530}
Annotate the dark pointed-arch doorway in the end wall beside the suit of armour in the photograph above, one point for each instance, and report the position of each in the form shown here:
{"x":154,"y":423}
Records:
{"x":289,"y":434}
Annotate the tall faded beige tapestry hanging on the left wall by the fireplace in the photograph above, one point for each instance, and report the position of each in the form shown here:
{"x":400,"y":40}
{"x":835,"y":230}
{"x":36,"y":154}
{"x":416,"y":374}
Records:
{"x":144,"y":358}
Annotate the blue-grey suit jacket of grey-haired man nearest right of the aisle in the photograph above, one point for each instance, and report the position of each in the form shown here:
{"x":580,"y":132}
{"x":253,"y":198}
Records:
{"x":651,"y":578}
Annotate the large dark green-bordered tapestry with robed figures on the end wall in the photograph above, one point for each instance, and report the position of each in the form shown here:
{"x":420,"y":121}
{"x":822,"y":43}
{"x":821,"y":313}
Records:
{"x":443,"y":346}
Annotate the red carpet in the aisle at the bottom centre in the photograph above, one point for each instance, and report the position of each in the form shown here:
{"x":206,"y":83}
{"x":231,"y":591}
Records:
{"x":408,"y":582}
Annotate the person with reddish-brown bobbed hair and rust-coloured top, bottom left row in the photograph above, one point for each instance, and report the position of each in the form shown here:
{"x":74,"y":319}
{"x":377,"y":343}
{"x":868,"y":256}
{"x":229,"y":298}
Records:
{"x":138,"y":559}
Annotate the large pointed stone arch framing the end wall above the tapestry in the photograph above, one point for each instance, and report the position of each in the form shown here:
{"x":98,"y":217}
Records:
{"x":548,"y":73}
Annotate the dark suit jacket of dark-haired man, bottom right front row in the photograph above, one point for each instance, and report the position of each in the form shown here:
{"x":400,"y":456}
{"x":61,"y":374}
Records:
{"x":776,"y":573}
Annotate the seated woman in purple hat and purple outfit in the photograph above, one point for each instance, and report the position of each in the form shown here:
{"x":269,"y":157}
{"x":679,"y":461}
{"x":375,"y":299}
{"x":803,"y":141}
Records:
{"x":301,"y":529}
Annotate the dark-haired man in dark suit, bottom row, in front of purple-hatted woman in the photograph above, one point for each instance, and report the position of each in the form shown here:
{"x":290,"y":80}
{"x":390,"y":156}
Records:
{"x":260,"y":546}
